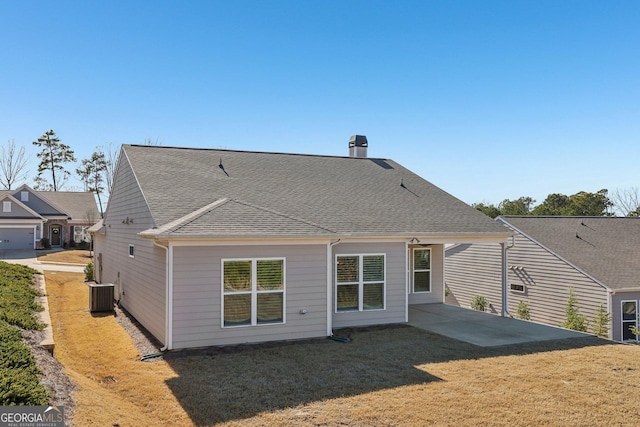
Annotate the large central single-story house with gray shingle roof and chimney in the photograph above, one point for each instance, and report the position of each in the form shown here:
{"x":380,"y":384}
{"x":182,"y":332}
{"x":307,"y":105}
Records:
{"x":214,"y":247}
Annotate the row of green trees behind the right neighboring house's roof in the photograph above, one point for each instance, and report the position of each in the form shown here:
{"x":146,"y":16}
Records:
{"x":601,"y":203}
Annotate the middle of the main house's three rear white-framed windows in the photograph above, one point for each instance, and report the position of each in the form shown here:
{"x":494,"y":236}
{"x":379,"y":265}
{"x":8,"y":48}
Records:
{"x":360,"y":282}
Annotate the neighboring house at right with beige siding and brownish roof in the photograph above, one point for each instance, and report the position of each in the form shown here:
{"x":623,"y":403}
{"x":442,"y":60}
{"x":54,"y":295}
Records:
{"x":597,"y":257}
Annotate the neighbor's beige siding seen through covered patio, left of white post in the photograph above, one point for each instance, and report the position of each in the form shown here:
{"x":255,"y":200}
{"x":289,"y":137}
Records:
{"x":472,"y":270}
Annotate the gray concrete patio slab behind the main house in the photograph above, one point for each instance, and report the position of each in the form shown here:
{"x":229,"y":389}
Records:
{"x":482,"y":329}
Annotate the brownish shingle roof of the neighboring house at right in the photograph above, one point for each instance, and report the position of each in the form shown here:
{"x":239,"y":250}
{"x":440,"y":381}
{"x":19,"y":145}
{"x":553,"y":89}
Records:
{"x":606,"y":248}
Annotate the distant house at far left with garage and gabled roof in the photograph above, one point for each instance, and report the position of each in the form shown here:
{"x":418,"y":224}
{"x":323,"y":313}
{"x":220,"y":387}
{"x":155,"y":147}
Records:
{"x":62,"y":217}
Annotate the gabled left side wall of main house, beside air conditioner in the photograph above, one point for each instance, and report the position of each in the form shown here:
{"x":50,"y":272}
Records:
{"x":140,"y":281}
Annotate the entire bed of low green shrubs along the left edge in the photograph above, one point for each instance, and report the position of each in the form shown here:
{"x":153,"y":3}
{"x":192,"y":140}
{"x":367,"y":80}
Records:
{"x":19,"y":374}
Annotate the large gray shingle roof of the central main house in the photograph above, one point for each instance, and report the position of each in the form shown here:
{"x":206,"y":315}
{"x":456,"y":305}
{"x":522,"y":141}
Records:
{"x":294,"y":194}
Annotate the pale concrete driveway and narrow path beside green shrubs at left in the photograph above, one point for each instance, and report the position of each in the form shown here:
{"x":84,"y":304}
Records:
{"x":29,"y":258}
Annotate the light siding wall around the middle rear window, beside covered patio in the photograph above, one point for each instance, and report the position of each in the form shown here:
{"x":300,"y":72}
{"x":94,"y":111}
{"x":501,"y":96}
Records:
{"x":395,"y":296}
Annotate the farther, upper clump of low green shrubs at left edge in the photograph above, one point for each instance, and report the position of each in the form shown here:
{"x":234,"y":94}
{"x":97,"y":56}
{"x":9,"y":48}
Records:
{"x":17,"y":296}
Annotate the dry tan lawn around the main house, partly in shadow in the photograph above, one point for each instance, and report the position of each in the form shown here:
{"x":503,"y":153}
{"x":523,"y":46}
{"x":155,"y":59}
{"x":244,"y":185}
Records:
{"x":392,"y":376}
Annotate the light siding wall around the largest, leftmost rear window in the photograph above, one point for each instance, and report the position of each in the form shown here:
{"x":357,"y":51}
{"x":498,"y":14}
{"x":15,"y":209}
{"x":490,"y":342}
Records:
{"x":197,"y":317}
